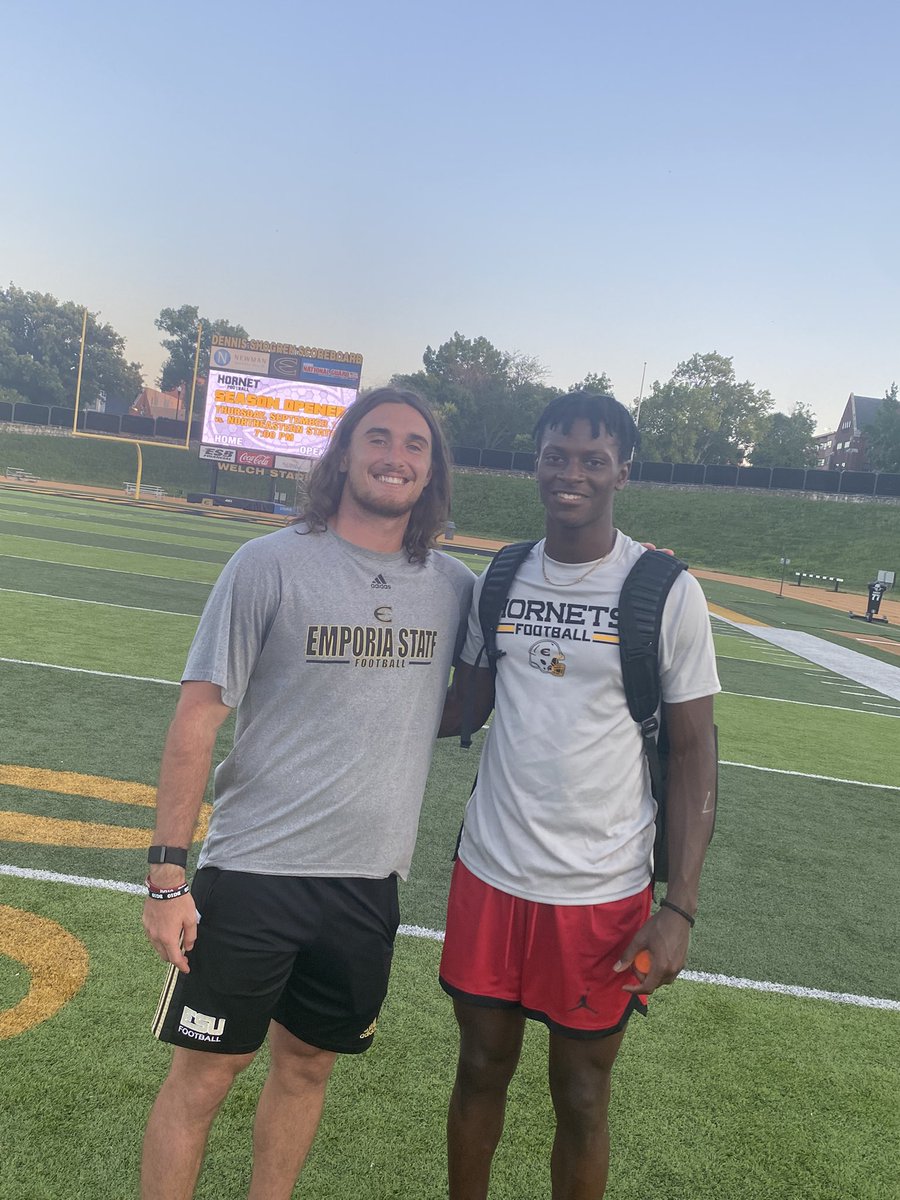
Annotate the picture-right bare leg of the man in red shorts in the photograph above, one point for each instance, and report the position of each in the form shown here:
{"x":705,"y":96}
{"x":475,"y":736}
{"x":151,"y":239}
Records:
{"x":580,"y":1072}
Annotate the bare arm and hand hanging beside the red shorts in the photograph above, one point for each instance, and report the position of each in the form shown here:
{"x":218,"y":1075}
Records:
{"x":691,"y":813}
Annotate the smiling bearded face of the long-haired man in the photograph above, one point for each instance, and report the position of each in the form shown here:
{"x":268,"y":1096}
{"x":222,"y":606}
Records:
{"x":388,"y":463}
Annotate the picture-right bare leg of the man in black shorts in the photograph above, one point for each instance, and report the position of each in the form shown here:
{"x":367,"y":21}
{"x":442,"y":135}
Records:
{"x":289,"y":1113}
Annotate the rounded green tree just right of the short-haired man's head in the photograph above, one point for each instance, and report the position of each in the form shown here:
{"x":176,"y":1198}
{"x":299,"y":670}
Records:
{"x":703,"y":413}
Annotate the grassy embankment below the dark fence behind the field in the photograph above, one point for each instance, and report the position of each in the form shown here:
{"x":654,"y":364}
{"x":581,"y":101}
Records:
{"x":737,"y":531}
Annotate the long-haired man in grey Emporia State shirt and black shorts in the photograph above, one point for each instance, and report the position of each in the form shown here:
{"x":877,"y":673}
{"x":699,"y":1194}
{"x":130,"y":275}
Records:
{"x":334,"y":640}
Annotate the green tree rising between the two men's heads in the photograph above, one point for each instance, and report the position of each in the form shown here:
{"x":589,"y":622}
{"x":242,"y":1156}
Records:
{"x":487,"y":398}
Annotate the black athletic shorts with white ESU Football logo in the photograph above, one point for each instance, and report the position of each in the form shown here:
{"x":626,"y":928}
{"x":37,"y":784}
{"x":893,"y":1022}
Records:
{"x":313,"y":955}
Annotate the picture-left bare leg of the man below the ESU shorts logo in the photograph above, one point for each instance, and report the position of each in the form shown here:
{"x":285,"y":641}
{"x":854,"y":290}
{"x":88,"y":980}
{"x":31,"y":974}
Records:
{"x":181,"y":1121}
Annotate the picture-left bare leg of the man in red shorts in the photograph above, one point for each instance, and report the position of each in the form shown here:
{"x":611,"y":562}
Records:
{"x":490,"y":1046}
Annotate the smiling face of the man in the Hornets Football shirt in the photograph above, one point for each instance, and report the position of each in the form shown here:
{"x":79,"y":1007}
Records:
{"x":579,"y":477}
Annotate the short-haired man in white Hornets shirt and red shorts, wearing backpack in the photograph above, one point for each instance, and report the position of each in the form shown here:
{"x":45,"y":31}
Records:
{"x":550,"y":903}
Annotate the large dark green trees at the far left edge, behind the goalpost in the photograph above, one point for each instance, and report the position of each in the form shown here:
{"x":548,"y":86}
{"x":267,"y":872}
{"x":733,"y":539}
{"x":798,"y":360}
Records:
{"x":40,"y":346}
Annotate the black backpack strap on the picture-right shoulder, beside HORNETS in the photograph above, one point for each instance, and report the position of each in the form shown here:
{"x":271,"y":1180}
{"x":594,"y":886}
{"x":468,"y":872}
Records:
{"x":641,"y":604}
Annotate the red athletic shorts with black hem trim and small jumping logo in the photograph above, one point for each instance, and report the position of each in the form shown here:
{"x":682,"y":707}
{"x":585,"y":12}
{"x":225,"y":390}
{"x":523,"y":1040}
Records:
{"x":554,"y":962}
